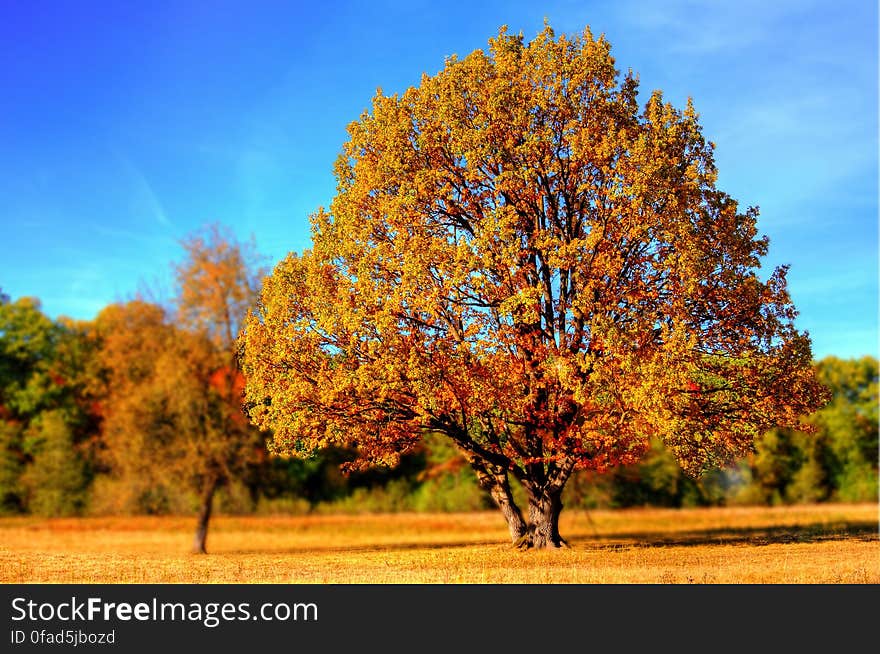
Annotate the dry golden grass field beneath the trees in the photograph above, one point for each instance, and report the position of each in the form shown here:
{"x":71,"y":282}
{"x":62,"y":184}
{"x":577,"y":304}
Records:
{"x":827,"y":544}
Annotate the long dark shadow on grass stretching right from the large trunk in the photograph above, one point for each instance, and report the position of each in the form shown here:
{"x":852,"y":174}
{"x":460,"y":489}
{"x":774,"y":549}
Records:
{"x":861,"y":531}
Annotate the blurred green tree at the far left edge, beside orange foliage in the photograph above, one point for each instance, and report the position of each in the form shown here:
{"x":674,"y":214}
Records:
{"x":46,"y":415}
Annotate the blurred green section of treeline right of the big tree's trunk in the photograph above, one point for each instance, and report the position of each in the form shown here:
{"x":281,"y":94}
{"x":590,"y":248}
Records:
{"x":836,"y":462}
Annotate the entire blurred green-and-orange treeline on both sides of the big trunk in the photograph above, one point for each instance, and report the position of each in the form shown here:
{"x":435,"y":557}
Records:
{"x":139,"y":411}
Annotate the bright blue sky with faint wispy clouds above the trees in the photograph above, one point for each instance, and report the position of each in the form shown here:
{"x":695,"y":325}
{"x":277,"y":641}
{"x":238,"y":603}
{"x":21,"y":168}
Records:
{"x":126,"y":126}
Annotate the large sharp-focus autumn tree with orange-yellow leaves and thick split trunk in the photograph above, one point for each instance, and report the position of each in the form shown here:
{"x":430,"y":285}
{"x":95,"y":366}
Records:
{"x":523,"y":259}
